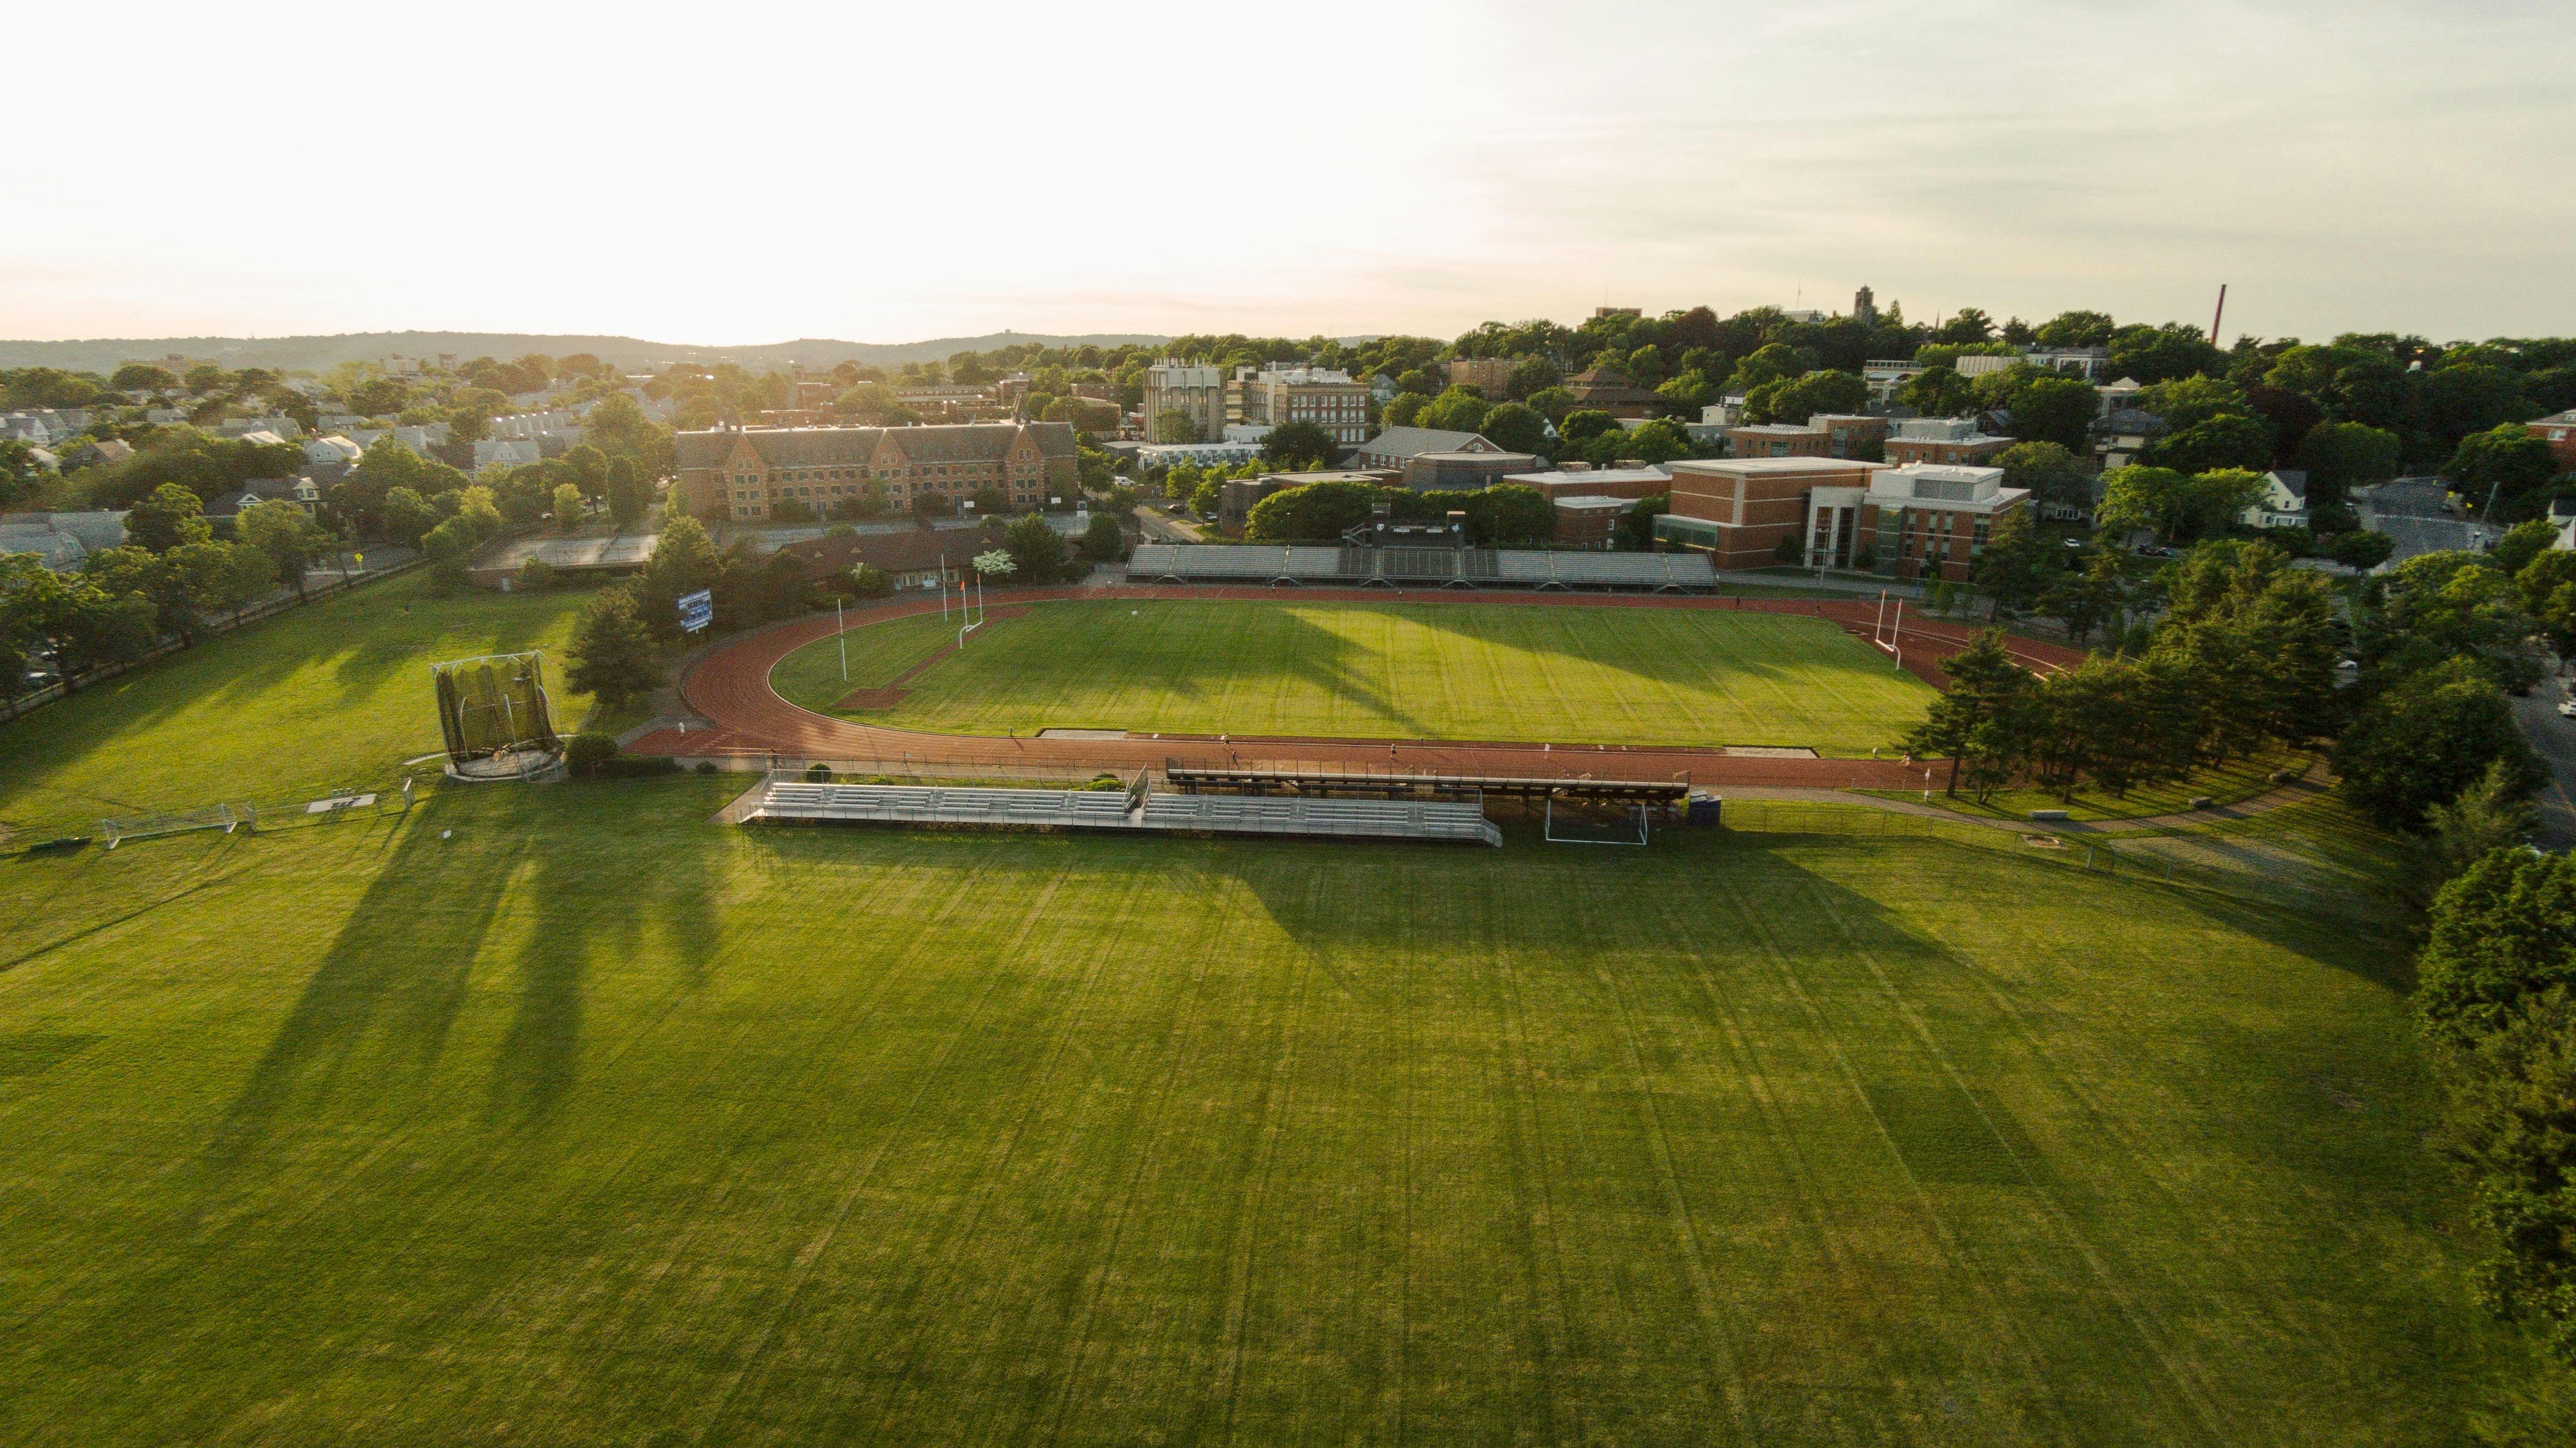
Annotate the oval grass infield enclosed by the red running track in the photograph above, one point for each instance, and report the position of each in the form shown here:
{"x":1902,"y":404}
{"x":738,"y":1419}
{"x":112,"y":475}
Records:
{"x":1586,"y":676}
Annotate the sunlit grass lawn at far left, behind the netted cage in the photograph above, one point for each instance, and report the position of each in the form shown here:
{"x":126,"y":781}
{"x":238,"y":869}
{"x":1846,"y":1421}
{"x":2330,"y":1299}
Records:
{"x":310,"y":700}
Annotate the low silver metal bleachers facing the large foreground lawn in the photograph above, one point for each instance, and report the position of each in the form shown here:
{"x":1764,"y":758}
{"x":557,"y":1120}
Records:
{"x":1122,"y":810}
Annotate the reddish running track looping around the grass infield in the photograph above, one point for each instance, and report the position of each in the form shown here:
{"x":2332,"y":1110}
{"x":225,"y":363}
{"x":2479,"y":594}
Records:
{"x":733,"y":689}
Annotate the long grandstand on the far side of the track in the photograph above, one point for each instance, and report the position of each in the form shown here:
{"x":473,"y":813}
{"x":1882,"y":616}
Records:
{"x":1410,"y":568}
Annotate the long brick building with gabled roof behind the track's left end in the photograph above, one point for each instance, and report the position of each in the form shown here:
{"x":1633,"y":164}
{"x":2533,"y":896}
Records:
{"x":741,"y":473}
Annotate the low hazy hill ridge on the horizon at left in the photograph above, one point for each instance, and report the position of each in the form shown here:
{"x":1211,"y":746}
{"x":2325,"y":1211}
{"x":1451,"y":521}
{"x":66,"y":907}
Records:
{"x":323,"y":354}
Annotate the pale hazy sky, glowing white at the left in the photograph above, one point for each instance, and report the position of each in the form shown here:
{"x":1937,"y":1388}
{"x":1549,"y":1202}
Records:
{"x":905,"y":171}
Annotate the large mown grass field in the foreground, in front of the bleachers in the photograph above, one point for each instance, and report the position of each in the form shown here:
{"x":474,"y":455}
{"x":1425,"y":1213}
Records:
{"x":599,"y":1122}
